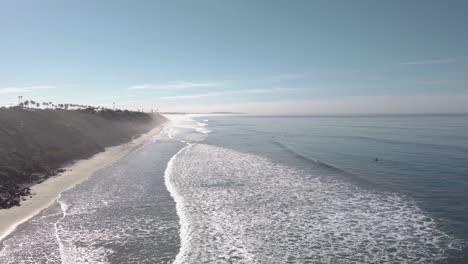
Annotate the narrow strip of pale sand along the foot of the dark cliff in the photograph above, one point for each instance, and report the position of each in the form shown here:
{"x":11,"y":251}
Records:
{"x":47,"y":192}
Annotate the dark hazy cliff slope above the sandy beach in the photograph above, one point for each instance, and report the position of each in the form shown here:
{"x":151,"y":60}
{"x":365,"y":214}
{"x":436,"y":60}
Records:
{"x":35,"y":143}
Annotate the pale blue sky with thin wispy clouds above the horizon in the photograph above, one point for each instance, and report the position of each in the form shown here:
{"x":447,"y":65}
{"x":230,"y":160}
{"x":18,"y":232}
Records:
{"x":259,"y":57}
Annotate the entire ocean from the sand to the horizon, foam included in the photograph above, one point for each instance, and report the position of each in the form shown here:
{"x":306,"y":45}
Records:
{"x":248,"y":189}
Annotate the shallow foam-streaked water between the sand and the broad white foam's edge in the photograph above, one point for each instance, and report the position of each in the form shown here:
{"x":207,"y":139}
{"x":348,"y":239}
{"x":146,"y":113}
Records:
{"x":117,"y":217}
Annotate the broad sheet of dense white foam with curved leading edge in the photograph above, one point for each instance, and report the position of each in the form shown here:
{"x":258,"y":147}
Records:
{"x":241,"y":208}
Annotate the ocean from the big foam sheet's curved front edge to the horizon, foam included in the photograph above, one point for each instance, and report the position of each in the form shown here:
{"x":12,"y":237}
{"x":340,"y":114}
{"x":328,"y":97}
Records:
{"x":309,"y":190}
